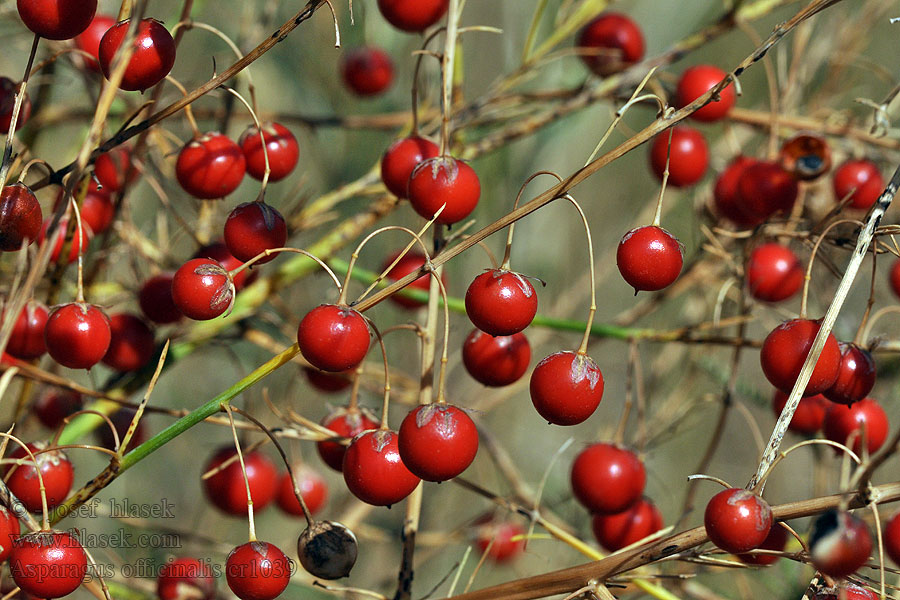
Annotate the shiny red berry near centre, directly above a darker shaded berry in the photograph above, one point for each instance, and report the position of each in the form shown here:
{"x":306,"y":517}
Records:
{"x":501,"y":302}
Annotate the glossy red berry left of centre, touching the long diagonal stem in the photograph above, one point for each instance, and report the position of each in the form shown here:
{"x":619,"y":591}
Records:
{"x":333,"y":338}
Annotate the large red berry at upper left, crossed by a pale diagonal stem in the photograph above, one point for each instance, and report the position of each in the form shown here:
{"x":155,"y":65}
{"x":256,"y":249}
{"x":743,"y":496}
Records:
{"x":153,"y":57}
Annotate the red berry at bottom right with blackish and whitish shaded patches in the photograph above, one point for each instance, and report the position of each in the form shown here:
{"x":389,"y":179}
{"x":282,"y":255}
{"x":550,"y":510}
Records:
{"x":840,"y":543}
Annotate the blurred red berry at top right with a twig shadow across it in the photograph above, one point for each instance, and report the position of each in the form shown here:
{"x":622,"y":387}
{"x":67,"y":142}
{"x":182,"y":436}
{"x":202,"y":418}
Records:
{"x":618,"y":41}
